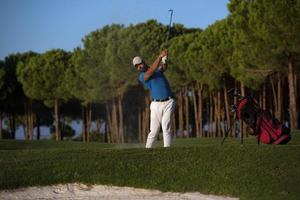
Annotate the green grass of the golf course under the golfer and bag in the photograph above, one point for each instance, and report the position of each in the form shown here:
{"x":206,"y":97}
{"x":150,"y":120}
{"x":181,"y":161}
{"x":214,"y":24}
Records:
{"x":247,"y":171}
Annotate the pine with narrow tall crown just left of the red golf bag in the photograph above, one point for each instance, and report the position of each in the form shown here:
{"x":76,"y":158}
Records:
{"x":216,"y":50}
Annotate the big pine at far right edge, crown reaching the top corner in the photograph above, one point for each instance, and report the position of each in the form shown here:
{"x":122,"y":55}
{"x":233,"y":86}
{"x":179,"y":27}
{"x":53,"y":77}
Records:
{"x":280,"y":34}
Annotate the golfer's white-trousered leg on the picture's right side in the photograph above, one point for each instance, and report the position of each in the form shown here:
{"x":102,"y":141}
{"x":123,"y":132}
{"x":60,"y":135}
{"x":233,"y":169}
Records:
{"x":167,"y":122}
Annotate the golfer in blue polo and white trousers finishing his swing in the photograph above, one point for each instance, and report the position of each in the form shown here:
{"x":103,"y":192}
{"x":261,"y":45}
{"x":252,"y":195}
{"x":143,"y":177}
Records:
{"x":163,"y":103}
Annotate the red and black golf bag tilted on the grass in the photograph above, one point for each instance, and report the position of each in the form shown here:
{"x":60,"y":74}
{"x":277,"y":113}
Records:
{"x":266,"y":128}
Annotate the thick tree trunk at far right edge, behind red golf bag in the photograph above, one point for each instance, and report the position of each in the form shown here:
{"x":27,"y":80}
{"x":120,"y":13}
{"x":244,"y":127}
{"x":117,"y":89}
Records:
{"x":292,"y":95}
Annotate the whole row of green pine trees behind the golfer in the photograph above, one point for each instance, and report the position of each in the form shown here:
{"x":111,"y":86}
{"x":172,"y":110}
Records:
{"x":256,"y":50}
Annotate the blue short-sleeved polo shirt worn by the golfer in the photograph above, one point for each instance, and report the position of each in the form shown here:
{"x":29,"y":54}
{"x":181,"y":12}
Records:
{"x":157,"y":84}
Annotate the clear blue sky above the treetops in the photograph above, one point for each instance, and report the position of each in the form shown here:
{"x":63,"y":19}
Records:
{"x":41,"y":25}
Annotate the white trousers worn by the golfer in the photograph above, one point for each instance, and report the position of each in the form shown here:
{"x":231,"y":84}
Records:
{"x":161,"y":115}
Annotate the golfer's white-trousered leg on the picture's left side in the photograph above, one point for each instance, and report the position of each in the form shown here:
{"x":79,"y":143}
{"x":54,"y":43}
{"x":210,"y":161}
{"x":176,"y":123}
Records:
{"x":155,"y":118}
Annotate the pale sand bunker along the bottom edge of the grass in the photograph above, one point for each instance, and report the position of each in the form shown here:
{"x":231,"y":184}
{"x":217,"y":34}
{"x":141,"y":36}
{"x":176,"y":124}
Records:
{"x":76,"y":191}
